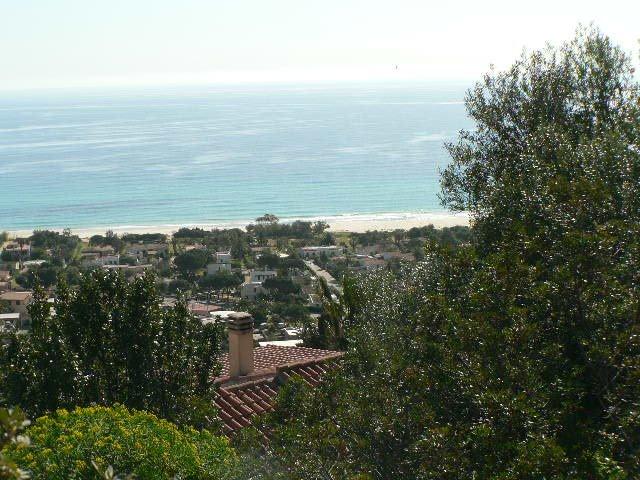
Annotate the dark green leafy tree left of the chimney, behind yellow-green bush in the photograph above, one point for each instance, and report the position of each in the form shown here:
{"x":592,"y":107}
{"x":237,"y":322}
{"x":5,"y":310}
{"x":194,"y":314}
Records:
{"x":110,"y":341}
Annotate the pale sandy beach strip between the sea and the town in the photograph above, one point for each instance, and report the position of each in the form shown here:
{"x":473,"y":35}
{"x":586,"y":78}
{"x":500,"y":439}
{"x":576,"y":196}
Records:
{"x":353,"y":223}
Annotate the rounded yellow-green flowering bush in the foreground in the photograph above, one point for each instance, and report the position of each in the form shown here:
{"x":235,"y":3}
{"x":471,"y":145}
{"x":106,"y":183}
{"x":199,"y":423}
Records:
{"x":64,"y":444}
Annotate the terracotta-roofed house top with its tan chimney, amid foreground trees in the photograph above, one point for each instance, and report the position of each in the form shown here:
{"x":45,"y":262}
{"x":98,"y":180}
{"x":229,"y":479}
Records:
{"x":251,"y":377}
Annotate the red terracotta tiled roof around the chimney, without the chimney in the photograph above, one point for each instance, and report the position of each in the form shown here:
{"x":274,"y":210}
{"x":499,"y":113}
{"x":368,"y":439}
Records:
{"x":240,"y":400}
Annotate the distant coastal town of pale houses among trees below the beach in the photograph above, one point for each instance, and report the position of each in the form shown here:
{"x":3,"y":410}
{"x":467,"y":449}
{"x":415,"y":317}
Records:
{"x":275,"y":271}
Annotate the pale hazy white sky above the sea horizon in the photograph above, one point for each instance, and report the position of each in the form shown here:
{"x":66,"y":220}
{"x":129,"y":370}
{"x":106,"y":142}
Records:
{"x":51,"y":43}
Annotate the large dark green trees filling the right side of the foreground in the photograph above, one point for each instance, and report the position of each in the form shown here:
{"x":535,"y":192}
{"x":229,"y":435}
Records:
{"x":517,"y":357}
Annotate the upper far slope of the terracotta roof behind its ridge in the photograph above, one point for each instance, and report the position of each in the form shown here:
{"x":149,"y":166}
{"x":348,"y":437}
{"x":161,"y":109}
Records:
{"x":269,"y":357}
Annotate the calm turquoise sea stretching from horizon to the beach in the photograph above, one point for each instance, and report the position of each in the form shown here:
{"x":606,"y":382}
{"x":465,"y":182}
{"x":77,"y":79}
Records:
{"x":207,"y":155}
